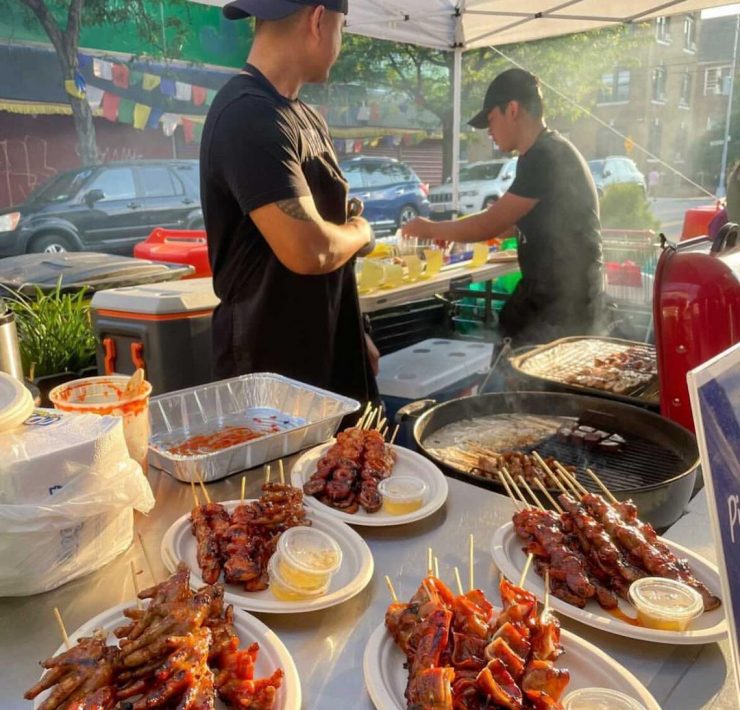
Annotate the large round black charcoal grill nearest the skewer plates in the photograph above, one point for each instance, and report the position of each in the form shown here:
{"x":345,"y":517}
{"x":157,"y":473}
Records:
{"x":657,"y":469}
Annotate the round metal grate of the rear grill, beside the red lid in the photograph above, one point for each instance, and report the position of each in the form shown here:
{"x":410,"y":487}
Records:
{"x":566,"y":358}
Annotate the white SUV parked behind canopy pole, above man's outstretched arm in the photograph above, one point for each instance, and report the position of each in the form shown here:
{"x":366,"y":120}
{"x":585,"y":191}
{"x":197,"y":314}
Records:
{"x":481,"y":184}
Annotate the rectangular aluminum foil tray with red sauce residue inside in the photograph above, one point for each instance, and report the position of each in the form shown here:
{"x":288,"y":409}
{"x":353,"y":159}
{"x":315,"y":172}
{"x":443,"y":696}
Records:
{"x":295,"y":415}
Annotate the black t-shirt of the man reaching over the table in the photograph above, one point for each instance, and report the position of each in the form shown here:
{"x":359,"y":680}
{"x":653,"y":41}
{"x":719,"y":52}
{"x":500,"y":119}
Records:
{"x":560,"y":242}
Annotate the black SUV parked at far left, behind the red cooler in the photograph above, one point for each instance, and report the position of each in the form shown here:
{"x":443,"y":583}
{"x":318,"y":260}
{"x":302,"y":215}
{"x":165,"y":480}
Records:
{"x":106,"y":208}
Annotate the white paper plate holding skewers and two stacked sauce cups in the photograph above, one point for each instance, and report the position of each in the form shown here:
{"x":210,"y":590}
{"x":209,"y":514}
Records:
{"x":178,"y":544}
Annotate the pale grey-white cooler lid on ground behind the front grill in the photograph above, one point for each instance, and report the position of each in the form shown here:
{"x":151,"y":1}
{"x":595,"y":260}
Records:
{"x":431,"y":366}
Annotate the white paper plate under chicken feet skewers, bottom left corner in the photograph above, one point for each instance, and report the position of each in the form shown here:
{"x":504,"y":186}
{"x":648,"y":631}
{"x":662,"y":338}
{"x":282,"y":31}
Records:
{"x":272,"y":653}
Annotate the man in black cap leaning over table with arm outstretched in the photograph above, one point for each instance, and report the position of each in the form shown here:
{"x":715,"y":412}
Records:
{"x":554,"y":204}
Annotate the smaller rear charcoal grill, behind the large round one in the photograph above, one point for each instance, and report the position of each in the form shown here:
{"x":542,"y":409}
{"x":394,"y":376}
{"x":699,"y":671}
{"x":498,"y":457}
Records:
{"x":549,"y":365}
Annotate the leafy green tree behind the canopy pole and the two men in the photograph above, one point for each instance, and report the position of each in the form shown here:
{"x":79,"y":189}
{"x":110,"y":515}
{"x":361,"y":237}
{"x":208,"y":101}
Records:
{"x":572,"y":64}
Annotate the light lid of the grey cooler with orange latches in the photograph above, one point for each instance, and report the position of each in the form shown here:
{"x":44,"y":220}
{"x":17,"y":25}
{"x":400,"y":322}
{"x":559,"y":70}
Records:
{"x":160,"y":298}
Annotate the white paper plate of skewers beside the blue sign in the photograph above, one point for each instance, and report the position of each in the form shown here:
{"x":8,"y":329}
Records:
{"x":710,"y":626}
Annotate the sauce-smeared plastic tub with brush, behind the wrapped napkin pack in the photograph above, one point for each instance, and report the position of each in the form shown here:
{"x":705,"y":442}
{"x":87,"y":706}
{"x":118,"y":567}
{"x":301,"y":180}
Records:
{"x":107,"y":396}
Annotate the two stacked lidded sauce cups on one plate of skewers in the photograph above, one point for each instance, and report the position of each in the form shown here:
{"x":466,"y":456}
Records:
{"x":307,"y":558}
